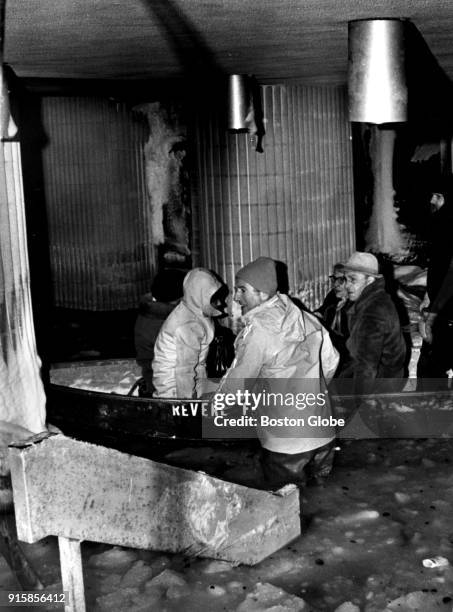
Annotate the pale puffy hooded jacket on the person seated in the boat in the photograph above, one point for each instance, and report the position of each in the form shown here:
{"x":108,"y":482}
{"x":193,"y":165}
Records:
{"x":179,"y":364}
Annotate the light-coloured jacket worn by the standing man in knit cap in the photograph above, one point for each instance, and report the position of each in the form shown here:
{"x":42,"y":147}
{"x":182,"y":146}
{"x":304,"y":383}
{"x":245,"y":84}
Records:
{"x":279,"y":341}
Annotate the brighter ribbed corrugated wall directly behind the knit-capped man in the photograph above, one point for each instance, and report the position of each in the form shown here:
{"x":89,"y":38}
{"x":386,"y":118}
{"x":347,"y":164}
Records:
{"x":294,"y":202}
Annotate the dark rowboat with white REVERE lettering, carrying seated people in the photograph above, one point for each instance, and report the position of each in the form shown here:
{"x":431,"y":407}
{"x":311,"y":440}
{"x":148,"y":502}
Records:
{"x":89,"y":401}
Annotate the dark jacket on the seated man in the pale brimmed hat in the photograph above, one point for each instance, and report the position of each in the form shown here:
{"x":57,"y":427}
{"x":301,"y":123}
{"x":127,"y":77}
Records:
{"x":376,"y":344}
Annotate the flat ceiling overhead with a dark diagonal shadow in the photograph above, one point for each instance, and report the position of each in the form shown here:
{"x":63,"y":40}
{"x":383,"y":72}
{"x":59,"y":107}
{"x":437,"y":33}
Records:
{"x":297,"y":41}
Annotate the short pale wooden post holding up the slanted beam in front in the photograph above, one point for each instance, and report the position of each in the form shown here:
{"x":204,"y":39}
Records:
{"x":72,"y":574}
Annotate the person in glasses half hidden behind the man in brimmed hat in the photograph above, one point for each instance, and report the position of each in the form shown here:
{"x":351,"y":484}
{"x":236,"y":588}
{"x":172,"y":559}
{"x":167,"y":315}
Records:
{"x":333,"y":312}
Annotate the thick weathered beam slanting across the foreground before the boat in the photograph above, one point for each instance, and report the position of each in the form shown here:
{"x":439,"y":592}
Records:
{"x":80,"y":491}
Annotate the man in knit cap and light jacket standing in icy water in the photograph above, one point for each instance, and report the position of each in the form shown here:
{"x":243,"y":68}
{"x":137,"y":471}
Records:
{"x":282,"y":348}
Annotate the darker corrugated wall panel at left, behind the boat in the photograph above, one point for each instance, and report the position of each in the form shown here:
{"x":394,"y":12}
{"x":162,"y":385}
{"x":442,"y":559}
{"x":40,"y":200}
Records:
{"x":101,"y":249}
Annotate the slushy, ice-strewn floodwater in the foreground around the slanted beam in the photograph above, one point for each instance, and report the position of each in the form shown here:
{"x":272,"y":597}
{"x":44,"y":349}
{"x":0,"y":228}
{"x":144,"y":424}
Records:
{"x":386,"y":509}
